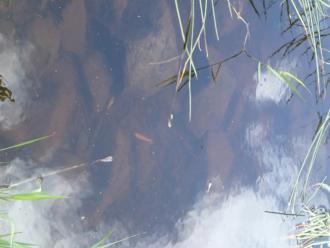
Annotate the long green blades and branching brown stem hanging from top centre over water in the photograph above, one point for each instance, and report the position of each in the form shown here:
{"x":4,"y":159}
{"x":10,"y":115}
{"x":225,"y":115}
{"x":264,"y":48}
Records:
{"x":194,"y":33}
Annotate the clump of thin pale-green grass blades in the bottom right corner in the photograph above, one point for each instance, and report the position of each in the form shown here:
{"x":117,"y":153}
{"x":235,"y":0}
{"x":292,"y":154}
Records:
{"x":315,"y":230}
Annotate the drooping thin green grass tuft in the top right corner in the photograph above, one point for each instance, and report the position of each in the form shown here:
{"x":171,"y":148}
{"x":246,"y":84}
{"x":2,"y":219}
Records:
{"x":310,"y":16}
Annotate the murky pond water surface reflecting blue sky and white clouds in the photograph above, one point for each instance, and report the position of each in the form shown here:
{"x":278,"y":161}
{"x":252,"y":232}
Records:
{"x":81,"y":69}
